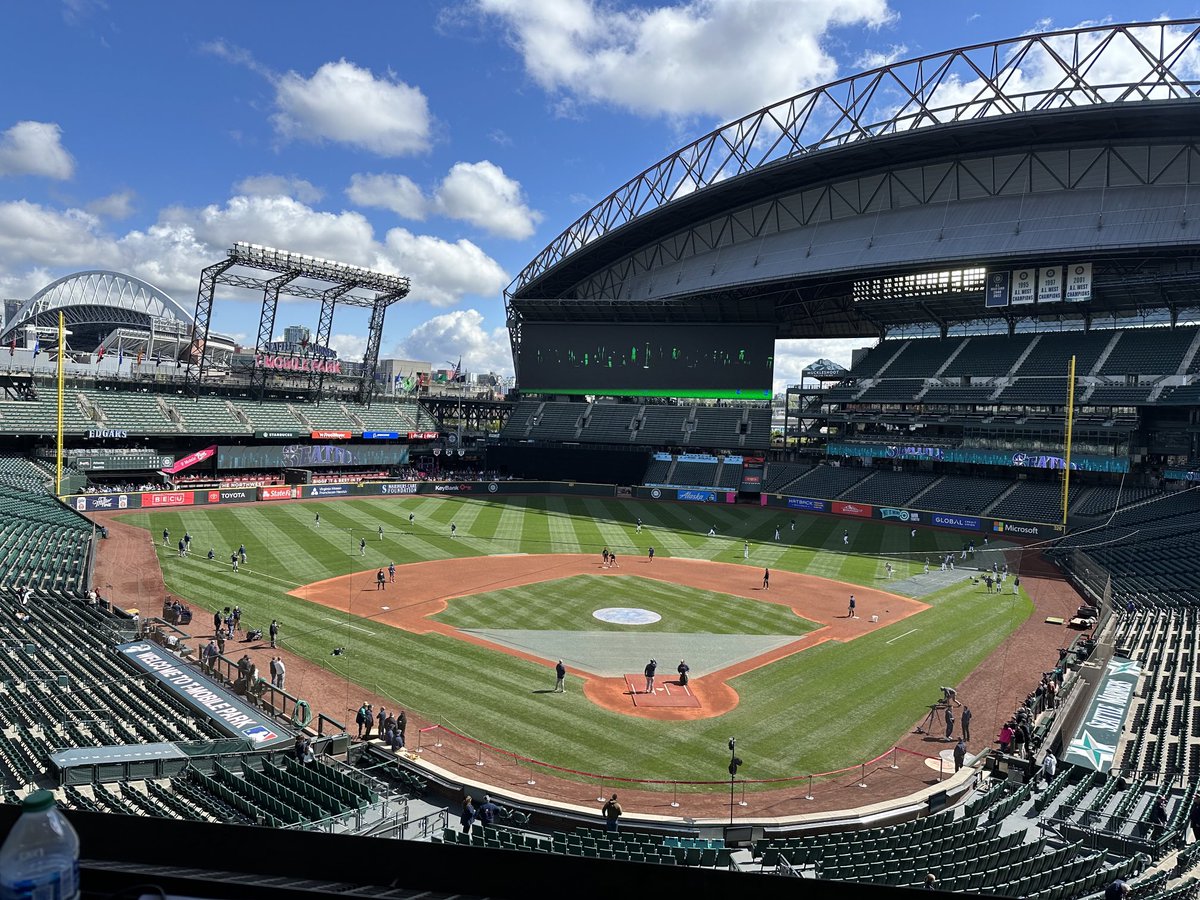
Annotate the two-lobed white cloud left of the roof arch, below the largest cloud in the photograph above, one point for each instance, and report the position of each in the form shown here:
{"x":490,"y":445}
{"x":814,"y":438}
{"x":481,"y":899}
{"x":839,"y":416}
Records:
{"x":476,"y":193}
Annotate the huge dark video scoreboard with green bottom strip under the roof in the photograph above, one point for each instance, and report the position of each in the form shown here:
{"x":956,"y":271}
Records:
{"x":649,"y":361}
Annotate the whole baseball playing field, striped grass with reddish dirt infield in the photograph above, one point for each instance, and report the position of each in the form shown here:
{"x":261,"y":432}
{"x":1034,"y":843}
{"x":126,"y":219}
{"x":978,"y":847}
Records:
{"x":469,"y":634}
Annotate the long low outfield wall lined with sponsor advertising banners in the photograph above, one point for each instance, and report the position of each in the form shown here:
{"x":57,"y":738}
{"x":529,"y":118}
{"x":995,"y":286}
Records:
{"x":205,"y":497}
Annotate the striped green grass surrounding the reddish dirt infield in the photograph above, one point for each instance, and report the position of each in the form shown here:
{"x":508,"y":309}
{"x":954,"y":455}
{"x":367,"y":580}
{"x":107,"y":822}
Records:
{"x":825,"y":709}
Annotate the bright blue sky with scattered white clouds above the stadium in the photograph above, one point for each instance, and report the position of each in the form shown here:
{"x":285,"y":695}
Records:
{"x":447,"y":142}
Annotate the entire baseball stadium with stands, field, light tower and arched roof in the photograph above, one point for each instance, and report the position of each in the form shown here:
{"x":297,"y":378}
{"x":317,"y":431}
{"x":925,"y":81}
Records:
{"x":929,"y":621}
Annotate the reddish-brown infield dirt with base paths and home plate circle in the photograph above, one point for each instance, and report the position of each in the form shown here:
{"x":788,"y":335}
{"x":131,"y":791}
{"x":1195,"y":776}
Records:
{"x":428,"y":587}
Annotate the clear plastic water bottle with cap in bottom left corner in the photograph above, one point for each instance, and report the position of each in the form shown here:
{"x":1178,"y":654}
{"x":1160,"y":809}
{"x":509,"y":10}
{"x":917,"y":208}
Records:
{"x":40,"y":860}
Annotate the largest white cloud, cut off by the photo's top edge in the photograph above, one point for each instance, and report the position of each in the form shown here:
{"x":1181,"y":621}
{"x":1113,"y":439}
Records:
{"x":716,"y":58}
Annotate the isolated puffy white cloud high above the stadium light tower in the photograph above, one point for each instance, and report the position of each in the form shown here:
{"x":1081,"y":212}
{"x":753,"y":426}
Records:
{"x":349,"y":105}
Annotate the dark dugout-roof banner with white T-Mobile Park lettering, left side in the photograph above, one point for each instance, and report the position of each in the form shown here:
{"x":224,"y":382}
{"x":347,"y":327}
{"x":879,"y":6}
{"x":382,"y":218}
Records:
{"x":211,"y":700}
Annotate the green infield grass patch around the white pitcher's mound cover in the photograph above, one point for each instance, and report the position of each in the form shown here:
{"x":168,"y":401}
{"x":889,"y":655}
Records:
{"x":568,"y":604}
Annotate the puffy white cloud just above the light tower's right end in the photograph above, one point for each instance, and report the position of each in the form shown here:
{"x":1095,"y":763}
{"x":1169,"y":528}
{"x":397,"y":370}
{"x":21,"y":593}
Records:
{"x":442,"y":272}
